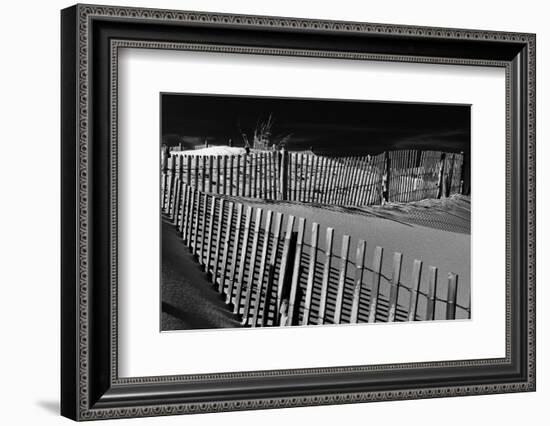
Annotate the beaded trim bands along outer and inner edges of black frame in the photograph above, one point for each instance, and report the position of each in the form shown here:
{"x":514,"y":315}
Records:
{"x":88,"y":12}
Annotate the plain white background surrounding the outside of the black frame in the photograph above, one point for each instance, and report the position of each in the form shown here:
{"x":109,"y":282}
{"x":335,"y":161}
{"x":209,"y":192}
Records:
{"x":29,"y":213}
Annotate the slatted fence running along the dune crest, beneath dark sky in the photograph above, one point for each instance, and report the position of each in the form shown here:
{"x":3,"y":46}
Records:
{"x":403,"y":176}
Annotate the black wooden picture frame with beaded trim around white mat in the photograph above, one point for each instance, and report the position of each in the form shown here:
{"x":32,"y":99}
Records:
{"x":90,"y":387}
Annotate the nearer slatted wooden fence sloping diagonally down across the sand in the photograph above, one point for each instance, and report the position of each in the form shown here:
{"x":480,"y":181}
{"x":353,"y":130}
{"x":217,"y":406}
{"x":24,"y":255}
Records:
{"x":271,"y":274}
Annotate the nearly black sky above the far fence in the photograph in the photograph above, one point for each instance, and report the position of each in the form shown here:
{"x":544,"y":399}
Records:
{"x":329,"y":126}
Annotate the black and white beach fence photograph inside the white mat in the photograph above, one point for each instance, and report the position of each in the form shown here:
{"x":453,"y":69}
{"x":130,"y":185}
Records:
{"x":308,"y":212}
